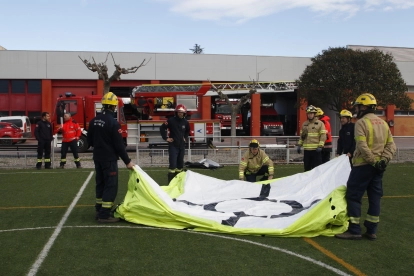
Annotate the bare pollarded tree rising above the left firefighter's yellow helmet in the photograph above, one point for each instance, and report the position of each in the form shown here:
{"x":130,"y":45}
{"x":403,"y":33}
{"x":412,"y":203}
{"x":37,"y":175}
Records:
{"x":102,"y":70}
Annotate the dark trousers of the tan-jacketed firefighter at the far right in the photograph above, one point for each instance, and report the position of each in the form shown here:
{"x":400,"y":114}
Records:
{"x":364,"y":178}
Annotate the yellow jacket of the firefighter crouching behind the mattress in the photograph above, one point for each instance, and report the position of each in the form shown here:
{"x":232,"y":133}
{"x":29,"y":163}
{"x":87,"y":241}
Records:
{"x":252,"y":163}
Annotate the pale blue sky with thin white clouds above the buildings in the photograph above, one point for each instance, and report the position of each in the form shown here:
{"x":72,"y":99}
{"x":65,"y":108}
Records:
{"x":242,"y":27}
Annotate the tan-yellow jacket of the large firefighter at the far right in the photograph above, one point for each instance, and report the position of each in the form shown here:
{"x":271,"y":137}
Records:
{"x":373,"y":141}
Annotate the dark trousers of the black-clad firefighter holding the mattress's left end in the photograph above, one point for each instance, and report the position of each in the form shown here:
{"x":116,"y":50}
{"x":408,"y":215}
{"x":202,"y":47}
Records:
{"x":106,"y":186}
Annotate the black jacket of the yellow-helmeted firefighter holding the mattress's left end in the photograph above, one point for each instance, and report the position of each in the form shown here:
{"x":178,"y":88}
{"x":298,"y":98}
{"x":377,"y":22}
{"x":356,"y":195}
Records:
{"x":104,"y":135}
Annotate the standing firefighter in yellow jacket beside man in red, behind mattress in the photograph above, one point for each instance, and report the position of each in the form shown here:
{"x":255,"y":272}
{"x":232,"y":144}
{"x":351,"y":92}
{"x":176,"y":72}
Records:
{"x":312,"y":139}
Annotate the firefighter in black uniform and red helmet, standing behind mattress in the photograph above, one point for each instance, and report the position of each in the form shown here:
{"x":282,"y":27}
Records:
{"x":178,"y":136}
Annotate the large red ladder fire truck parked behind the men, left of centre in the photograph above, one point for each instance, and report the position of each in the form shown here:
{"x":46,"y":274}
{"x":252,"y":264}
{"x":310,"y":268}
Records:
{"x":152,"y":104}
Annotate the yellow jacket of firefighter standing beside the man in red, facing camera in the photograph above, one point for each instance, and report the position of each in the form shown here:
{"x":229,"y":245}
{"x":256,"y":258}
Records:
{"x":312,"y":134}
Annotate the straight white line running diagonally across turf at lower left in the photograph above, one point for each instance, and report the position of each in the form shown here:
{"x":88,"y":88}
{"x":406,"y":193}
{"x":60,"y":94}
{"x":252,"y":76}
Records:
{"x":46,"y":248}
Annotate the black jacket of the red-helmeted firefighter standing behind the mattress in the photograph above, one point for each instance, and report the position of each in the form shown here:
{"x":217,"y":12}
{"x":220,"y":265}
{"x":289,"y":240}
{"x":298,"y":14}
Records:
{"x":179,"y":130}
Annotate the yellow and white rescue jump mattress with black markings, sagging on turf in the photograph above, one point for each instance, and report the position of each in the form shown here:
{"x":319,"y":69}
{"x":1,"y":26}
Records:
{"x":302,"y":205}
